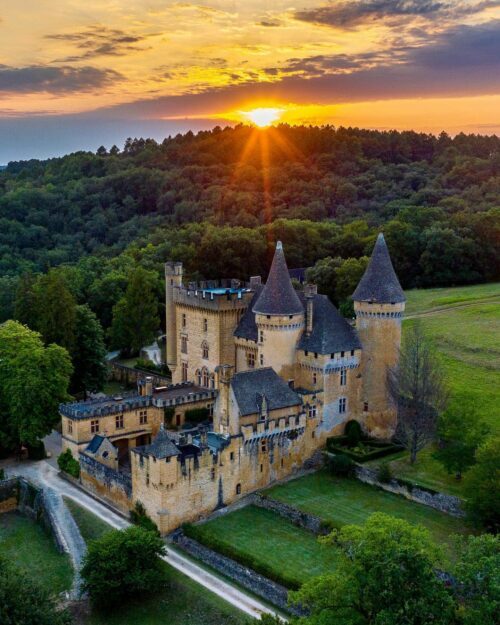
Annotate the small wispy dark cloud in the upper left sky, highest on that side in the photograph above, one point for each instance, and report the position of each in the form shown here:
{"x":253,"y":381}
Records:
{"x":99,"y":41}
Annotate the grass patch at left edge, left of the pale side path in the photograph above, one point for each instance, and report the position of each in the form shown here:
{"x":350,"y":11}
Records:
{"x":29,"y":546}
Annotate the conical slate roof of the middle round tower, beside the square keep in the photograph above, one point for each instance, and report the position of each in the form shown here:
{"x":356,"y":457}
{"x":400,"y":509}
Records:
{"x":278,"y":297}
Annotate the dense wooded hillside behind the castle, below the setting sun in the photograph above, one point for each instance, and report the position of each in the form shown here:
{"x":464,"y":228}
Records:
{"x":220,"y":199}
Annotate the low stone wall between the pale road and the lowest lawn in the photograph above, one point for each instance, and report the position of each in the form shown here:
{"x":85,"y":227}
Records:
{"x":248,"y":578}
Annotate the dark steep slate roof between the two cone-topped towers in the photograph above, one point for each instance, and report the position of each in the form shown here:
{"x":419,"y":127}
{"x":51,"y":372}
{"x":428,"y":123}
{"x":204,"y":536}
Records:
{"x":331,"y":332}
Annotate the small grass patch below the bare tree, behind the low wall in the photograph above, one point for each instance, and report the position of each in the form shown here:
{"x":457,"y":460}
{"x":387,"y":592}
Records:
{"x":426,"y":471}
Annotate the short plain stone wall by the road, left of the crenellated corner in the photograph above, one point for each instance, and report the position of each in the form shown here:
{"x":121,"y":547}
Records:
{"x":112,"y":486}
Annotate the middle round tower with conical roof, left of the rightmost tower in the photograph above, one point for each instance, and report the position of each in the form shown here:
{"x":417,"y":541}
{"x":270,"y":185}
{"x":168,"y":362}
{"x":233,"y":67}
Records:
{"x":279,"y":316}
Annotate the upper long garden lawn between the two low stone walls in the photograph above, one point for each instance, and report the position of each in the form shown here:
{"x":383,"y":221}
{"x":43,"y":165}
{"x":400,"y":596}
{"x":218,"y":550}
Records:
{"x":346,"y":501}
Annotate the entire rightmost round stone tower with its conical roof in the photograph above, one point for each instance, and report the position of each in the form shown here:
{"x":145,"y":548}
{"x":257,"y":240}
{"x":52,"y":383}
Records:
{"x":379,"y":304}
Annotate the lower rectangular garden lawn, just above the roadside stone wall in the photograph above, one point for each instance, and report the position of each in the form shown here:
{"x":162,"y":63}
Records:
{"x":271,"y":541}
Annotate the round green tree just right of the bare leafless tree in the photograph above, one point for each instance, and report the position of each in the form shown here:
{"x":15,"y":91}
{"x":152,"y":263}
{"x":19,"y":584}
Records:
{"x":460,"y":433}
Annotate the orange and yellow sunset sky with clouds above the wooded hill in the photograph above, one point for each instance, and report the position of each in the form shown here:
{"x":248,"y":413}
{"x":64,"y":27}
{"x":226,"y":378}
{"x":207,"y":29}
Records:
{"x":76,"y":74}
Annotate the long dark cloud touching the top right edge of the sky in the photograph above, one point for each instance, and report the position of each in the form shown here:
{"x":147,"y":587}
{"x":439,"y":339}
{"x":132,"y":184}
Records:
{"x":352,"y":13}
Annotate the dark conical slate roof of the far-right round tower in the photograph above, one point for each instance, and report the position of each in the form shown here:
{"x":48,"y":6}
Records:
{"x":379,"y":283}
